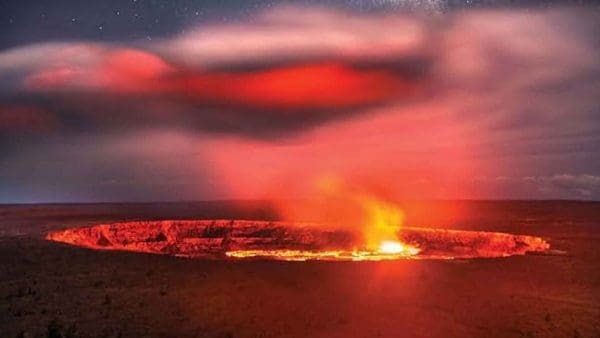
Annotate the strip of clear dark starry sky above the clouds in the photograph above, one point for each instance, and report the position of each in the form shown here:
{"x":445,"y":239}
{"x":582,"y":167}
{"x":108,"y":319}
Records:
{"x":23,"y":22}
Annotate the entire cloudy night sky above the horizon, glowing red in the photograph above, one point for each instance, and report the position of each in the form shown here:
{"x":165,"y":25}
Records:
{"x":153,"y":100}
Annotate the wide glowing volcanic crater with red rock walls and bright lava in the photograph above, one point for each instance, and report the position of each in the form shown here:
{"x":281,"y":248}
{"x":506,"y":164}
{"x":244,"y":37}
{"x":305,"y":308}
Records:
{"x":237,"y":239}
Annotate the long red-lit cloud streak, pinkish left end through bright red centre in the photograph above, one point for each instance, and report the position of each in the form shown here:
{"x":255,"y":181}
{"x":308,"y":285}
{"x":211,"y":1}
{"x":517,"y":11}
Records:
{"x":295,"y":87}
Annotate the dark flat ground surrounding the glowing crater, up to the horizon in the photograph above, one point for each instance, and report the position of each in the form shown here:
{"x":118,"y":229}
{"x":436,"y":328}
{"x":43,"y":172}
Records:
{"x":51,"y":289}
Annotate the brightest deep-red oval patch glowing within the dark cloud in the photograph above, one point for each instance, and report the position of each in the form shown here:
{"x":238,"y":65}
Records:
{"x":305,"y":86}
